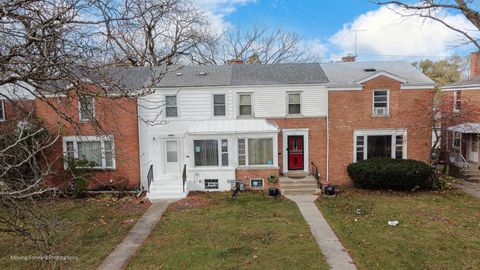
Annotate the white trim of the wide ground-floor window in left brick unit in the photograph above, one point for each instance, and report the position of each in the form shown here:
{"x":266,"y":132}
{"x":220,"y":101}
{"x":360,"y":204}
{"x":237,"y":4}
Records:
{"x":102,"y":139}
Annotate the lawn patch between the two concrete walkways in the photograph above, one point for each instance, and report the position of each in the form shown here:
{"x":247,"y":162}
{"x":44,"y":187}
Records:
{"x":251,"y":232}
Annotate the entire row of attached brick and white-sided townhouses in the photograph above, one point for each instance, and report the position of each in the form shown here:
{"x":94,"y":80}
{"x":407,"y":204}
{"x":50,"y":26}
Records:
{"x":200,"y":127}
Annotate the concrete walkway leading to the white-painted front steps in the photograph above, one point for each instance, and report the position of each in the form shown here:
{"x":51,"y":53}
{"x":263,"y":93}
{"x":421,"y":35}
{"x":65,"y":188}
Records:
{"x":120,"y":256}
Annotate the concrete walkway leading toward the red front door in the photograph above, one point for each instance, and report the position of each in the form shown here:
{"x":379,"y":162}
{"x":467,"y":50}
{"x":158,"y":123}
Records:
{"x":332,"y":248}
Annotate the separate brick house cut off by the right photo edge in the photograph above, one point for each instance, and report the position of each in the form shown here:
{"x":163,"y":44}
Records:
{"x":461,"y":144}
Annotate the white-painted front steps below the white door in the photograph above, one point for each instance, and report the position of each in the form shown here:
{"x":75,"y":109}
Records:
{"x":167,"y":187}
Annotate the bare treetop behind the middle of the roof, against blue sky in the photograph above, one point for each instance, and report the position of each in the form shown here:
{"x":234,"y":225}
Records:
{"x":257,"y":45}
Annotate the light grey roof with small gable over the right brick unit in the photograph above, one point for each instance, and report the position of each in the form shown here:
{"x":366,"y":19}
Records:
{"x":353,"y":74}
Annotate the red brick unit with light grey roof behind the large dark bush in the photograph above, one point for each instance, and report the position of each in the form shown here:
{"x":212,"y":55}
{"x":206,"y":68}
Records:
{"x":377,"y":109}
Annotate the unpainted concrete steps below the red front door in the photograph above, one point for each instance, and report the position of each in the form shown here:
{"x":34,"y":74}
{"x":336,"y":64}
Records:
{"x":293,"y":186}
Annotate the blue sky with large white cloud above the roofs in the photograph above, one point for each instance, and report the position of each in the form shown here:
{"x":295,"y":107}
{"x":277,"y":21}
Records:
{"x":327,"y":27}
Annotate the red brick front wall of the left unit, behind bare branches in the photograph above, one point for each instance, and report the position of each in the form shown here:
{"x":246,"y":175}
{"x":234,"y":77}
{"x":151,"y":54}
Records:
{"x":117,"y":117}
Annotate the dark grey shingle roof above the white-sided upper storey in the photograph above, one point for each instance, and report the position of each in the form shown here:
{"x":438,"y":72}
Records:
{"x":243,"y":74}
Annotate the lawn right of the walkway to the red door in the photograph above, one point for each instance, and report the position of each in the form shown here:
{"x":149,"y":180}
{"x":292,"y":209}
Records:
{"x":437,"y":230}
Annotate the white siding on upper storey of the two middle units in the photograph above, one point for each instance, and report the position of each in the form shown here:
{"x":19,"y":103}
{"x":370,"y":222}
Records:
{"x":268,"y":102}
